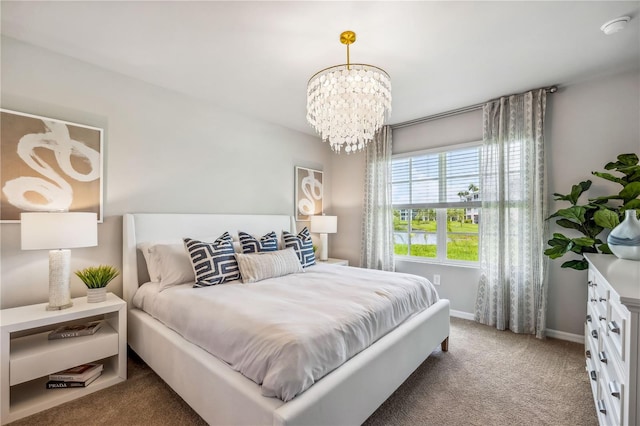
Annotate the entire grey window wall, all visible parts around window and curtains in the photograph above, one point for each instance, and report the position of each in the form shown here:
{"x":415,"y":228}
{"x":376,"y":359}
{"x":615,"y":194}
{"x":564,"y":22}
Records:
{"x":588,"y":124}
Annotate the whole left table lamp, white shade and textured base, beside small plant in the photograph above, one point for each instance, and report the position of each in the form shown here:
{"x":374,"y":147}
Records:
{"x":58,"y":231}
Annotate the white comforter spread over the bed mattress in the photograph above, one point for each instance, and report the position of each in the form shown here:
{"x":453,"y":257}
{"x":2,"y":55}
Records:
{"x":285,"y":333}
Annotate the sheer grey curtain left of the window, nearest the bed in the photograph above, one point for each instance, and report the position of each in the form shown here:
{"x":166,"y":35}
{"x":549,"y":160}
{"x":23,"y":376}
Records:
{"x":377,"y":221}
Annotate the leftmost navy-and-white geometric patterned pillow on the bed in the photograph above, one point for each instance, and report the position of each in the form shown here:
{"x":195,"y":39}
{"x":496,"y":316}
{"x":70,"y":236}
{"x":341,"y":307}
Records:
{"x":213,"y":263}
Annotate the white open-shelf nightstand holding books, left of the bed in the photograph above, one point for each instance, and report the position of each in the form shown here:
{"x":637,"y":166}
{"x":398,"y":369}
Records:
{"x":27,"y":357}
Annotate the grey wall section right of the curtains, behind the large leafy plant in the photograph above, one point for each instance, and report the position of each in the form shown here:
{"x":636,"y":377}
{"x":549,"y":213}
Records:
{"x":590,"y":124}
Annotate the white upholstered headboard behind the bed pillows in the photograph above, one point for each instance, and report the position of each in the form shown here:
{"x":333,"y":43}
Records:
{"x":149,"y":227}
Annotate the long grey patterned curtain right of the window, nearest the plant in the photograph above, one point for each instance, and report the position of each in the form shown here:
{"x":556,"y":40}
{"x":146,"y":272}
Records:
{"x":512,"y":293}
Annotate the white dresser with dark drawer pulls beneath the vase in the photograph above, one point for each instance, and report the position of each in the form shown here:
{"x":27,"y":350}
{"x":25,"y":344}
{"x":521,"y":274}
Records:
{"x":612,"y":338}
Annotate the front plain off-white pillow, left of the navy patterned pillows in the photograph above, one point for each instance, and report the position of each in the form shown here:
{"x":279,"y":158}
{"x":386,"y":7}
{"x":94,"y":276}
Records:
{"x":172,"y":263}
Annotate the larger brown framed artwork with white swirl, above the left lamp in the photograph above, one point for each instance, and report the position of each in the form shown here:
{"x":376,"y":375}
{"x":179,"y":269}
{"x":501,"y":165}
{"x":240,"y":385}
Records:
{"x":48,"y":165}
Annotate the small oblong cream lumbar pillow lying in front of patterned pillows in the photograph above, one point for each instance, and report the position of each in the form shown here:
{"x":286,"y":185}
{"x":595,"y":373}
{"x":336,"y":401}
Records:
{"x":260,"y":266}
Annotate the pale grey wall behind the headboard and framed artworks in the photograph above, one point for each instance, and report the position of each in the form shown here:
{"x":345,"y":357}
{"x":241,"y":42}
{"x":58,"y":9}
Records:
{"x":163,"y":153}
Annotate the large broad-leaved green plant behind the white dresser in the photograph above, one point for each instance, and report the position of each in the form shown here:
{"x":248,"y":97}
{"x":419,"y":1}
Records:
{"x":597,"y":215}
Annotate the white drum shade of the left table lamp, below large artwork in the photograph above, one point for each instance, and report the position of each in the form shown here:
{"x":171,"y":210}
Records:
{"x":58,"y":230}
